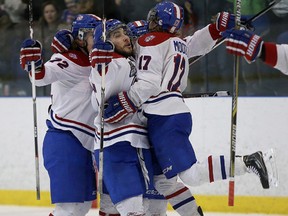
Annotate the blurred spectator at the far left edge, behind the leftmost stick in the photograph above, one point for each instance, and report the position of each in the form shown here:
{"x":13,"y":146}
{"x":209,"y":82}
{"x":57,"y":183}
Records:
{"x":13,"y":28}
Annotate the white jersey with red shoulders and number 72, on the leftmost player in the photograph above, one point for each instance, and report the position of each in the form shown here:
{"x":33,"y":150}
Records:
{"x":71,"y":107}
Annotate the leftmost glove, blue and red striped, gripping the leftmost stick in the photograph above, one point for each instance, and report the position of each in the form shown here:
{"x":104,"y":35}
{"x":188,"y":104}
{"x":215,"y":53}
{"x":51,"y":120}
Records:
{"x":31,"y":52}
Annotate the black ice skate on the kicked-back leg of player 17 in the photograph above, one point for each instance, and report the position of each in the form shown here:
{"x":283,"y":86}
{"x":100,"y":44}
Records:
{"x":255,"y":163}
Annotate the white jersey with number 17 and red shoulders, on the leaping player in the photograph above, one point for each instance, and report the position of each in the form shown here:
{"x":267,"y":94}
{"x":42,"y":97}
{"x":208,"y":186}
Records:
{"x":163,"y":67}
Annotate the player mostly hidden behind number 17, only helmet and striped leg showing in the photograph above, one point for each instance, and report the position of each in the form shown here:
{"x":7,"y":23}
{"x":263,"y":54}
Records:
{"x":178,"y":195}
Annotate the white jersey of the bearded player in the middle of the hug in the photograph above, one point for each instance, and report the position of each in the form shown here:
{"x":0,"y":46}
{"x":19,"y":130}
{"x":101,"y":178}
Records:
{"x":119,"y":77}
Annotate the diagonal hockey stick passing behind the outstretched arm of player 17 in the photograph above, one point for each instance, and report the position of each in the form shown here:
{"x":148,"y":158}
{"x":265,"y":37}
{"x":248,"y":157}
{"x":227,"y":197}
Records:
{"x":221,"y":40}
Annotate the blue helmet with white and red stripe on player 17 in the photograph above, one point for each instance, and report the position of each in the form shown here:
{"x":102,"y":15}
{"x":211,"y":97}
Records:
{"x":168,"y":15}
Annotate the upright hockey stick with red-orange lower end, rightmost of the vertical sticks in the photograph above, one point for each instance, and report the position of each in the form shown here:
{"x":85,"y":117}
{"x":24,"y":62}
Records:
{"x":234,"y":112}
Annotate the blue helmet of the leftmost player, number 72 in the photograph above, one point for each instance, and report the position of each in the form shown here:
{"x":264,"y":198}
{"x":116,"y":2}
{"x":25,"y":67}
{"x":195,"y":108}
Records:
{"x":84,"y":23}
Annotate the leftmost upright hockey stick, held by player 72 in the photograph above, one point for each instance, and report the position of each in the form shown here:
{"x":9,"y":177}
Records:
{"x":34,"y":108}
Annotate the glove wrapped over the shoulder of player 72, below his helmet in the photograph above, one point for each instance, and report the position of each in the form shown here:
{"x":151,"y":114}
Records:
{"x":62,"y":41}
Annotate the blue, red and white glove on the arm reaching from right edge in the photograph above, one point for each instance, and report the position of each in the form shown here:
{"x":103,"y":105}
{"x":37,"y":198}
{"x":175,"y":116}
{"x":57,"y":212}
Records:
{"x":243,"y":43}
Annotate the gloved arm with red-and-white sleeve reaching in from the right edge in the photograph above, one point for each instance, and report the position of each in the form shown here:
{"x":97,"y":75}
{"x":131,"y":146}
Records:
{"x":251,"y":46}
